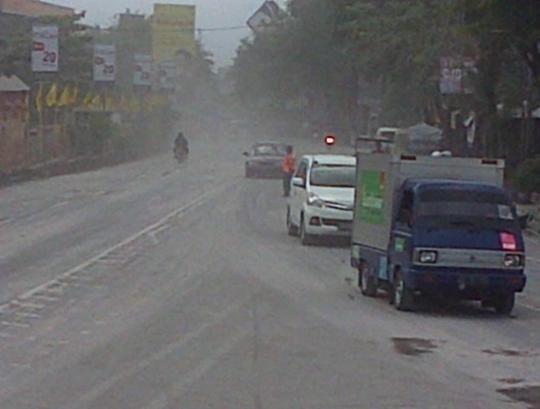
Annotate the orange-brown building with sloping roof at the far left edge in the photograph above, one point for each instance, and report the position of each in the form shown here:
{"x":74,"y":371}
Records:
{"x":13,"y":114}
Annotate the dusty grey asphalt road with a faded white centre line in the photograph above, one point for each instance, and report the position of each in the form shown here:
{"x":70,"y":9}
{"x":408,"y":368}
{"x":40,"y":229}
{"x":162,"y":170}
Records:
{"x":155,"y":286}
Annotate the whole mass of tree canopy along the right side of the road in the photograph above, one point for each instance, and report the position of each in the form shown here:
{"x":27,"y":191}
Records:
{"x":331,"y":54}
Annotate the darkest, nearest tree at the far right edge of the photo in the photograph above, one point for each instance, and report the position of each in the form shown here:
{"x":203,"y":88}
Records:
{"x":506,"y":36}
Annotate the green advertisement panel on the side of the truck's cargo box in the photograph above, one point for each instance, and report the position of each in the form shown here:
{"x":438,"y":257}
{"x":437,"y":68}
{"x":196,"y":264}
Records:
{"x":371,"y":206}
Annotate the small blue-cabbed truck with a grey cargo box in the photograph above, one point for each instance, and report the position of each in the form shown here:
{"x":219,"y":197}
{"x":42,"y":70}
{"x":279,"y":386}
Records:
{"x":436,"y":225}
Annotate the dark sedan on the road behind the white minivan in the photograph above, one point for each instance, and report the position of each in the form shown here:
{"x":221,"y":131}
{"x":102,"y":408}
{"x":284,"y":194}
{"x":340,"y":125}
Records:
{"x":264,"y":159}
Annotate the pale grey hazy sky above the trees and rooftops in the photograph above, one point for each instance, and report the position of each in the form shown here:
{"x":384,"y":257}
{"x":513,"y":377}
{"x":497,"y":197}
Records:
{"x":210,"y":13}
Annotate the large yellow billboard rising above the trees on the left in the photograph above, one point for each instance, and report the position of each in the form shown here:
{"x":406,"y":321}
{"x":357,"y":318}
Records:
{"x":173,"y":31}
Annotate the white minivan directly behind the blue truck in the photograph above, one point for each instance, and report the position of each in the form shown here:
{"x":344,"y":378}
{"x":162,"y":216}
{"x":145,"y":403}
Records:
{"x":322,"y":197}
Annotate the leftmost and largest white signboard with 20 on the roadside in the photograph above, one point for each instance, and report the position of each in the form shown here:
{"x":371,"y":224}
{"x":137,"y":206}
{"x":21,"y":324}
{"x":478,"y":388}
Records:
{"x":45,"y":48}
